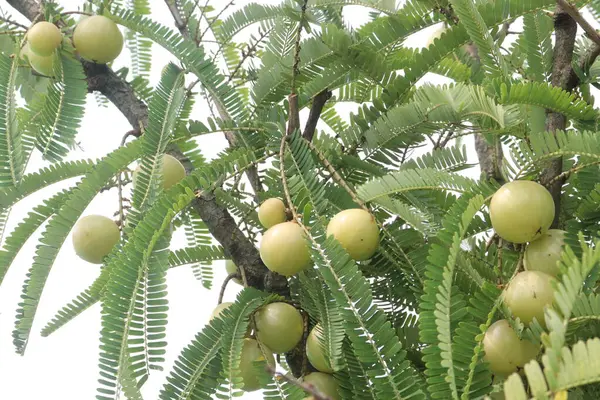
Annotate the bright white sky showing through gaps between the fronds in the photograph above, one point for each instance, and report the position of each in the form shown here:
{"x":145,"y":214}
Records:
{"x":64,"y":365}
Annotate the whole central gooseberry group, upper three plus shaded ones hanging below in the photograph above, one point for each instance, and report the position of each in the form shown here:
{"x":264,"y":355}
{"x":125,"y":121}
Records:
{"x":279,"y":327}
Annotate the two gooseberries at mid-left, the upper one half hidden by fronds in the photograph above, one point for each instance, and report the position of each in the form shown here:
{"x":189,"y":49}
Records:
{"x":94,"y":236}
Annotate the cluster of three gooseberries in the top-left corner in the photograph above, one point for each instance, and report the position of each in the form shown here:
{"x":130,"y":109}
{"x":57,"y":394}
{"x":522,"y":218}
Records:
{"x":96,"y":38}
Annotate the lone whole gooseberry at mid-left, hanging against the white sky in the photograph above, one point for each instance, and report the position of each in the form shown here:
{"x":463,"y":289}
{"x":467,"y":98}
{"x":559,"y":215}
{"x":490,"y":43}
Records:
{"x":94,"y":236}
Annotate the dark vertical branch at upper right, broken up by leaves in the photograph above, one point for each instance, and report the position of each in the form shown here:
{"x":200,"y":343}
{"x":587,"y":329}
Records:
{"x":564,"y":77}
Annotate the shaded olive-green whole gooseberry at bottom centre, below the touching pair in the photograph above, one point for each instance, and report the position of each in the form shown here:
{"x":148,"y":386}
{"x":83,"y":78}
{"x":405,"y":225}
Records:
{"x":279,"y":326}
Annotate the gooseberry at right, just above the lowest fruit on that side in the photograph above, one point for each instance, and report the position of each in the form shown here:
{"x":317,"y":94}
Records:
{"x":527,"y":295}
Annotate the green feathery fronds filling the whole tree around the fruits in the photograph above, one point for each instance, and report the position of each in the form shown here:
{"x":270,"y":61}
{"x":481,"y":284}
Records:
{"x":409,"y":323}
